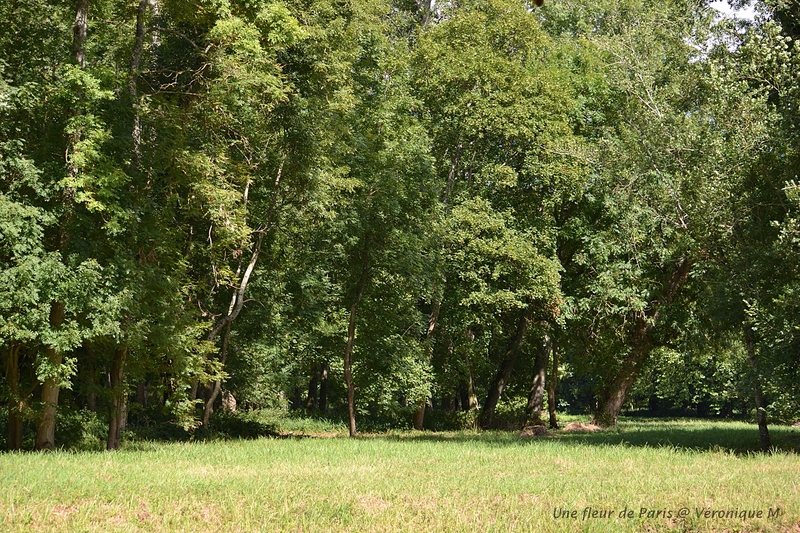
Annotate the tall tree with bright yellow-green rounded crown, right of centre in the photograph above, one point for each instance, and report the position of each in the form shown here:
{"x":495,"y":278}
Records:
{"x":498,"y":111}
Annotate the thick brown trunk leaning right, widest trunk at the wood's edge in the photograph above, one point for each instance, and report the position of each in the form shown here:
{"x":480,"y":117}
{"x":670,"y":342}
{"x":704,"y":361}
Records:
{"x":642,"y":343}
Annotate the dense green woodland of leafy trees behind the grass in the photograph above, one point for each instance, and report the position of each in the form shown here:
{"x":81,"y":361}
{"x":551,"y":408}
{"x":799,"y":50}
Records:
{"x":395,"y":213}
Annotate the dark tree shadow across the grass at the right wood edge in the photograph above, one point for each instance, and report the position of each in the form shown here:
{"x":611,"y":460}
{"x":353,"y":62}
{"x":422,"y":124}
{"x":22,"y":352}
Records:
{"x":691,"y":435}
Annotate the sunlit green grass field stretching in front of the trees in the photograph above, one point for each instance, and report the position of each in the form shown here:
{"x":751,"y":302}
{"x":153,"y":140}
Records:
{"x":645,"y":474}
